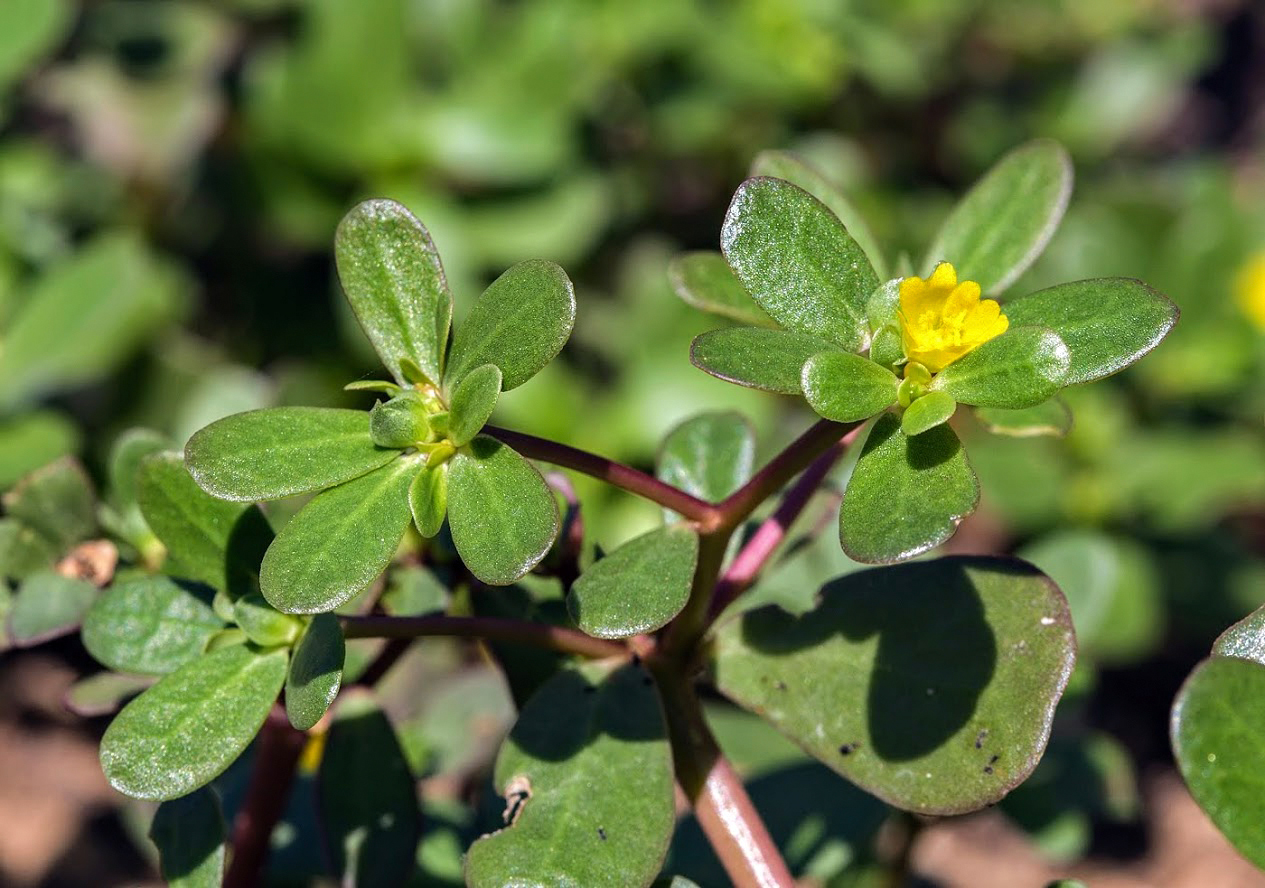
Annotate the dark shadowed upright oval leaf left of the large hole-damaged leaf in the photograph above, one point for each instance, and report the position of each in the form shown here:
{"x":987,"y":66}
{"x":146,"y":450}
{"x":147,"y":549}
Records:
{"x":367,"y":798}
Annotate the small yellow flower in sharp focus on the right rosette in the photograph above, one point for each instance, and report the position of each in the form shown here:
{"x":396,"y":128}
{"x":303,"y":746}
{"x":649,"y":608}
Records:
{"x":942,"y":319}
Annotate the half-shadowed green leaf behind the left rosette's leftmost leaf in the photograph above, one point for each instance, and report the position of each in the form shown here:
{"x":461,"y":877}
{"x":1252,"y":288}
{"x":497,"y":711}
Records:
{"x":211,"y":541}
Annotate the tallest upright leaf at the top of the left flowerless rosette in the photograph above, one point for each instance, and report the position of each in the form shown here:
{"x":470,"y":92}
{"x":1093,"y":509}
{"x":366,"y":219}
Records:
{"x":393,"y":278}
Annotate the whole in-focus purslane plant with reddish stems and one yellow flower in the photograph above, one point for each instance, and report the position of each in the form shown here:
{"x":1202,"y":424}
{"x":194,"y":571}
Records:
{"x":930,"y":685}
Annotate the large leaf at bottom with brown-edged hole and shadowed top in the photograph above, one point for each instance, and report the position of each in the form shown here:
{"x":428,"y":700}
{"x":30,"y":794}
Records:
{"x":593,"y":751}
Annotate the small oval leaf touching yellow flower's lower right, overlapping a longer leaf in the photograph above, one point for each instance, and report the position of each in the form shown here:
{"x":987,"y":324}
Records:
{"x":1021,"y":369}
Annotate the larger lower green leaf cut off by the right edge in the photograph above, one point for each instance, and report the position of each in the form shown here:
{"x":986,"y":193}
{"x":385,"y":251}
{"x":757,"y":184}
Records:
{"x":1219,"y":738}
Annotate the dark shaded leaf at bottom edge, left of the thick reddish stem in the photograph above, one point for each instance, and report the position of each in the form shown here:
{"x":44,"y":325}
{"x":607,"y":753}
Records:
{"x":190,"y":836}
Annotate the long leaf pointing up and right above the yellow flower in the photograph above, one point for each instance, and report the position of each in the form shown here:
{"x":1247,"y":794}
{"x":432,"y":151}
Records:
{"x":1004,"y":223}
